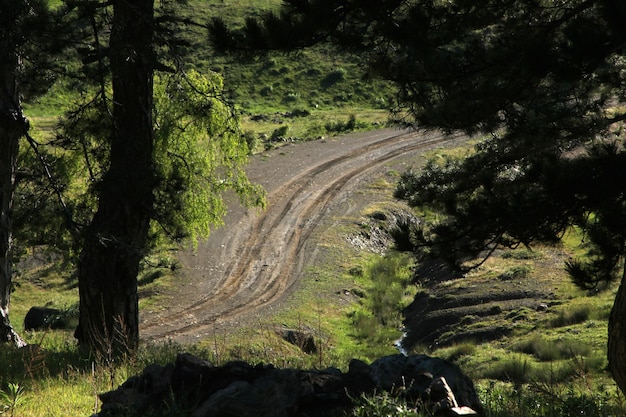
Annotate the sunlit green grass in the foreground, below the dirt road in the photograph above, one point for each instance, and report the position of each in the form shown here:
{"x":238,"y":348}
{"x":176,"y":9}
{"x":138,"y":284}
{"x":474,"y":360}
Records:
{"x":554,"y":365}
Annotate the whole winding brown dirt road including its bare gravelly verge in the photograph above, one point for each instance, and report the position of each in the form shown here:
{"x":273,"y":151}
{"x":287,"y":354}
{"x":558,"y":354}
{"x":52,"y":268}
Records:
{"x":257,"y":257}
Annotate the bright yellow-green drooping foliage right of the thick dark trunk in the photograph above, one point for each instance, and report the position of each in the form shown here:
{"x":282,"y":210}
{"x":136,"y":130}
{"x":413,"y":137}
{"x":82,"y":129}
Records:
{"x":200,"y":154}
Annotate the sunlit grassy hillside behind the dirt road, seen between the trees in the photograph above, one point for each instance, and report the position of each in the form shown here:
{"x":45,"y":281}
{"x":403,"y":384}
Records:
{"x":279,"y":96}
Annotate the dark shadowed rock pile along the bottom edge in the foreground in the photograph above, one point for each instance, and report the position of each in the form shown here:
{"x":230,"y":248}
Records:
{"x":238,"y":389}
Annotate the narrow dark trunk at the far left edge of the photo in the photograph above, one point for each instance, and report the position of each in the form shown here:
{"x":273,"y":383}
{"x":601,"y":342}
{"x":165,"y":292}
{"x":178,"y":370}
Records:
{"x":12,"y":127}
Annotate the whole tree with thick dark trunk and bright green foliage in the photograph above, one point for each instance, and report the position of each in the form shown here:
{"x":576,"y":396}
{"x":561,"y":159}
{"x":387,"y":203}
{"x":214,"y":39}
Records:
{"x":157,"y":154}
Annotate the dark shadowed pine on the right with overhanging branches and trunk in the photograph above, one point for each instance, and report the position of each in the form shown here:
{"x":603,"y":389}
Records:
{"x":542,"y":80}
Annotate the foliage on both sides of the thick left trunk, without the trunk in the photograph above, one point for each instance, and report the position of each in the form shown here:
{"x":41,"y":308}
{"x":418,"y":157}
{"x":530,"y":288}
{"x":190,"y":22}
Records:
{"x":197,"y":138}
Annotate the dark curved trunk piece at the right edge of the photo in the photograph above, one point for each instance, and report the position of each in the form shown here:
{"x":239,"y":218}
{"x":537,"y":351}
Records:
{"x":617,"y":336}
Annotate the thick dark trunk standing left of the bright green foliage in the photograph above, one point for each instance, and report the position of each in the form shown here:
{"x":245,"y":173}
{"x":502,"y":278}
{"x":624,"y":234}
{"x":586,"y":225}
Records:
{"x":116,"y":238}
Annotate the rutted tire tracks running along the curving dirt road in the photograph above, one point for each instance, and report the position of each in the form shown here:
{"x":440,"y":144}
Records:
{"x":260,"y":261}
